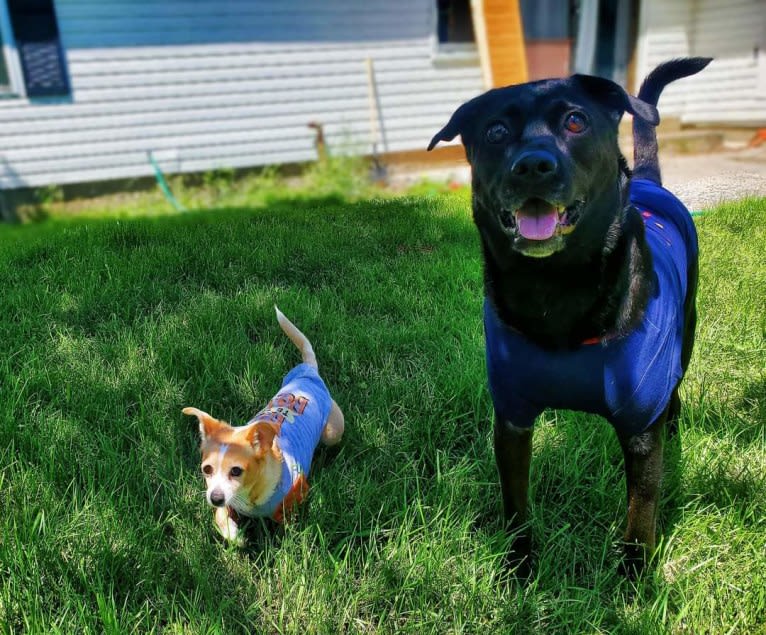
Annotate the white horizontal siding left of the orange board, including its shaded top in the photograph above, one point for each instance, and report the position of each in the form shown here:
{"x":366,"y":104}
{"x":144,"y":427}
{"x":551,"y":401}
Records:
{"x":228,"y":83}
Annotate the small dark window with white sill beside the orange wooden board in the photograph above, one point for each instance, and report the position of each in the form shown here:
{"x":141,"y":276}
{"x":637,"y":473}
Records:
{"x":455,"y":42}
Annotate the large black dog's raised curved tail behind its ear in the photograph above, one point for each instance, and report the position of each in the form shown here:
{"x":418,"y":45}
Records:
{"x":645,"y":162}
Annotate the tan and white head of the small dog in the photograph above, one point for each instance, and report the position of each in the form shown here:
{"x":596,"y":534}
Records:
{"x":241,"y":466}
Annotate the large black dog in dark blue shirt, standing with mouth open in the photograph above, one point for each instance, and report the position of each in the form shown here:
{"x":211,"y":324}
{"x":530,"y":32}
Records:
{"x":590,"y":277}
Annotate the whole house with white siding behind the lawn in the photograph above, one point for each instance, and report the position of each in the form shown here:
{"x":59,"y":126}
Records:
{"x":89,"y":87}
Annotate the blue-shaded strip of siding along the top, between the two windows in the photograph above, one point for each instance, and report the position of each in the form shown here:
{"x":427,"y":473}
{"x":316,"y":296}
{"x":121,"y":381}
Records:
{"x":167,"y":23}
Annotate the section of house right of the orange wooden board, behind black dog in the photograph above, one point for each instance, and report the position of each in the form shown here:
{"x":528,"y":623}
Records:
{"x":625,"y":39}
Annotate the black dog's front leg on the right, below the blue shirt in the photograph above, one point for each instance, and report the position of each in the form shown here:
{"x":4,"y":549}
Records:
{"x":643,"y":473}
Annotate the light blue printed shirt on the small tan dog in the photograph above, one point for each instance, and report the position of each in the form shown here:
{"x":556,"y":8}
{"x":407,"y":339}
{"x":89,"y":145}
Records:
{"x":301,"y":409}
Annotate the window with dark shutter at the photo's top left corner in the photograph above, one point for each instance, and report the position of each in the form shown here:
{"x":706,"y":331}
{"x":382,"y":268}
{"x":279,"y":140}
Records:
{"x":32,"y":62}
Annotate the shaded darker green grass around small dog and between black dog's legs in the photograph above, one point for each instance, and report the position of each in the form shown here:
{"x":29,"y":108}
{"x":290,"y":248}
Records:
{"x":370,"y":264}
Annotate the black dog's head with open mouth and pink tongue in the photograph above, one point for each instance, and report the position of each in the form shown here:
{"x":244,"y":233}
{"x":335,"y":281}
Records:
{"x":545,"y":161}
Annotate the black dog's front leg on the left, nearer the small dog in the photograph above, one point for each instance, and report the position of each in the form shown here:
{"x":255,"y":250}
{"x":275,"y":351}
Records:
{"x":513,"y":453}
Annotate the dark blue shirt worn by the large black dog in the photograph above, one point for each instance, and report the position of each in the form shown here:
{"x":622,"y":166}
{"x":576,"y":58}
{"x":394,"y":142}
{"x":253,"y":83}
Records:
{"x":629,"y":381}
